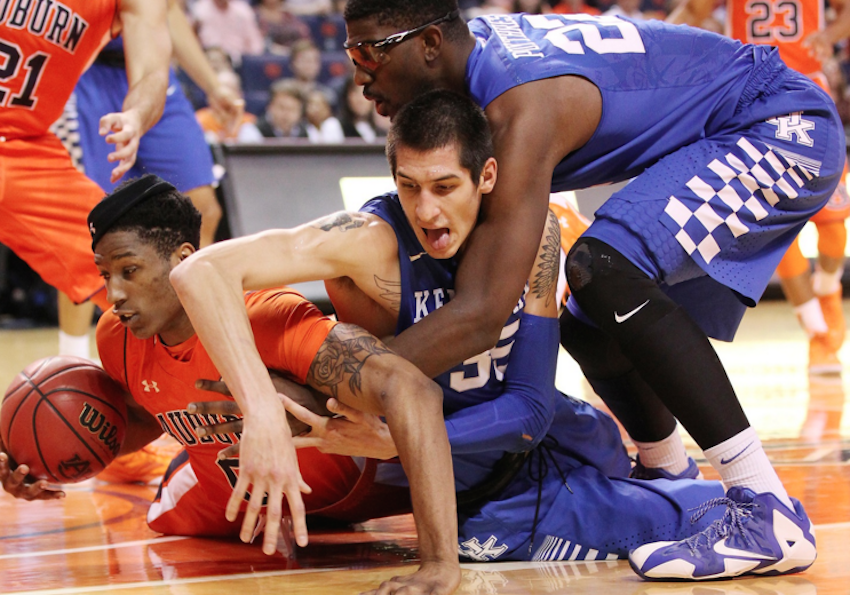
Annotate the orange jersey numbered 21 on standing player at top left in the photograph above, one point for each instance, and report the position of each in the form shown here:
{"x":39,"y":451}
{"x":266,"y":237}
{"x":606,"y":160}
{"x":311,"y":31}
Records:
{"x":45,"y":45}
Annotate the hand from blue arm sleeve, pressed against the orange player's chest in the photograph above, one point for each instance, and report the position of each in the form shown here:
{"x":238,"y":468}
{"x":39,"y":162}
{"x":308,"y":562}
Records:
{"x":351,"y":432}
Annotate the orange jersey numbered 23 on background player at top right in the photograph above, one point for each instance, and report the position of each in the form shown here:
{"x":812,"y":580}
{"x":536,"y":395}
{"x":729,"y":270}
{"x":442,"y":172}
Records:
{"x":781,"y":23}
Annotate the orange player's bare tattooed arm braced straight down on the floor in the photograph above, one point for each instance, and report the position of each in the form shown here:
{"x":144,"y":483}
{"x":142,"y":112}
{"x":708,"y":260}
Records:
{"x":356,"y":368}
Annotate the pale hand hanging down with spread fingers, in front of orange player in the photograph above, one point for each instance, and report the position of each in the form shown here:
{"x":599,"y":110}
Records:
{"x":268,"y":466}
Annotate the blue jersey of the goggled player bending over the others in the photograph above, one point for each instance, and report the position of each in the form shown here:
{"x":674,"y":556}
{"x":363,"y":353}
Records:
{"x":662,"y":86}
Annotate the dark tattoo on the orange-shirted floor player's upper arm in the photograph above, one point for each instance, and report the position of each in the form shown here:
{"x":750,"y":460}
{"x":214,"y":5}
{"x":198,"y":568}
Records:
{"x":341,"y":358}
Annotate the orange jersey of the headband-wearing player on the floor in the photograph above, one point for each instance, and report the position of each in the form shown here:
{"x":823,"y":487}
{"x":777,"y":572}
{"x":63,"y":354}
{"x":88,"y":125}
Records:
{"x":288,"y":330}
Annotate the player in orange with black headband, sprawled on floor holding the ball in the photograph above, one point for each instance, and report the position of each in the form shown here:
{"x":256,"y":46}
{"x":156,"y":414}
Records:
{"x":147,"y":344}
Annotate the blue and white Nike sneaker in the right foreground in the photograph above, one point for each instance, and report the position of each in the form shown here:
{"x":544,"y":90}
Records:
{"x":758,"y":535}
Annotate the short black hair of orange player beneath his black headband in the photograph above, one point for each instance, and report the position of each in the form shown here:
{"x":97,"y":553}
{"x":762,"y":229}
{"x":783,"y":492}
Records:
{"x":165,"y":220}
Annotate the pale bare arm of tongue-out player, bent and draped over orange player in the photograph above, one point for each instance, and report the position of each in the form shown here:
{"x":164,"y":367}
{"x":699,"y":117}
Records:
{"x":210,"y":285}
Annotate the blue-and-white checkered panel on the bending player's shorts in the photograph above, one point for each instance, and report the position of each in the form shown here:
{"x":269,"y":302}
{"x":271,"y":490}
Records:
{"x":734,"y":194}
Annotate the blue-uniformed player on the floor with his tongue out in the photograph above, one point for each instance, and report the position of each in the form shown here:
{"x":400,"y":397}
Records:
{"x":540,"y":476}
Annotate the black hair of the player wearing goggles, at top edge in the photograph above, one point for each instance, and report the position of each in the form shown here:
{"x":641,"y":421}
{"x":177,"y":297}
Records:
{"x":407,"y":14}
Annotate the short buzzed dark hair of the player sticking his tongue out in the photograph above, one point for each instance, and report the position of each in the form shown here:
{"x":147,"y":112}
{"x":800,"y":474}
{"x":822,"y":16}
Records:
{"x":438,"y":119}
